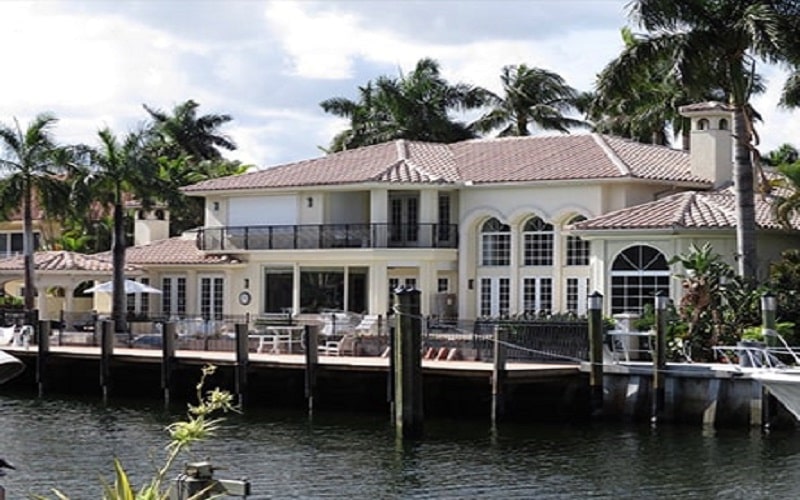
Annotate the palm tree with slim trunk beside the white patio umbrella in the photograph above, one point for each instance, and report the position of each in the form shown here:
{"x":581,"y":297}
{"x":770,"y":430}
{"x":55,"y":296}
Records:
{"x":119,"y":170}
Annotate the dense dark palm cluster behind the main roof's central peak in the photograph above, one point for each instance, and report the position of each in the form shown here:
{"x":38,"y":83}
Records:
{"x":414,"y":106}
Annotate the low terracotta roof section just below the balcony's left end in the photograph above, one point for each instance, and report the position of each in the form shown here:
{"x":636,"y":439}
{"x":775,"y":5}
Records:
{"x":172,"y":251}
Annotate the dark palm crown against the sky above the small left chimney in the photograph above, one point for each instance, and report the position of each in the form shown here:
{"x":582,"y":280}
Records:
{"x":186,"y":132}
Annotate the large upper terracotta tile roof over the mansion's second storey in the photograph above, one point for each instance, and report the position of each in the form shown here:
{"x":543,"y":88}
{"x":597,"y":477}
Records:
{"x":512,"y":159}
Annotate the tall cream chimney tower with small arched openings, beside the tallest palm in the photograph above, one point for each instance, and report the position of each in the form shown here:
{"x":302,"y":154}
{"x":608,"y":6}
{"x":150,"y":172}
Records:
{"x":711,"y":141}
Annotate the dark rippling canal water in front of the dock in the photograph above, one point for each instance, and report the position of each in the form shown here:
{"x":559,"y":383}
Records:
{"x":70,"y":444}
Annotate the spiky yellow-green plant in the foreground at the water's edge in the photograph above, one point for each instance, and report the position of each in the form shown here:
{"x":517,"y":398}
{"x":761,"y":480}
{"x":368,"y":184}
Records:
{"x":200,"y":425}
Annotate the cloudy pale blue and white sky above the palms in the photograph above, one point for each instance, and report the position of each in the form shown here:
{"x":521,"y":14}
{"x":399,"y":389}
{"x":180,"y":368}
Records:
{"x":270,"y":63}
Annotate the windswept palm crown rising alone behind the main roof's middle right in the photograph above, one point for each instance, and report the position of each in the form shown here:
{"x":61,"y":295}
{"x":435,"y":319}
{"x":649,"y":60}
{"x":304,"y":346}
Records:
{"x":532,"y":96}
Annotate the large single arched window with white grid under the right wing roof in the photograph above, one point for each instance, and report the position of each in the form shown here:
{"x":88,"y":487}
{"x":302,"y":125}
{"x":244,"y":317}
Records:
{"x":636,"y":275}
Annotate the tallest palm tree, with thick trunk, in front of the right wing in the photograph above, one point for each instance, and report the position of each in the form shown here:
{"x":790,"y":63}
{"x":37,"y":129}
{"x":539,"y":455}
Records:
{"x":718,"y":41}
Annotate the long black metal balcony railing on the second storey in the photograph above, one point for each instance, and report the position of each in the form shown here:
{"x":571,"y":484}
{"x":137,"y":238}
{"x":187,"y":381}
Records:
{"x":324,"y":236}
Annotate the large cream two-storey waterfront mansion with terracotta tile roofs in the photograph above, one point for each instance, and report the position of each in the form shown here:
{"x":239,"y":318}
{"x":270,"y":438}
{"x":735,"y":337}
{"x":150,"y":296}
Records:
{"x":482,"y":227}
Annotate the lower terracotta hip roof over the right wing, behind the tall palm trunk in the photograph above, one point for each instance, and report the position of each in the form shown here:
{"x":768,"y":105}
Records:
{"x":688,"y":210}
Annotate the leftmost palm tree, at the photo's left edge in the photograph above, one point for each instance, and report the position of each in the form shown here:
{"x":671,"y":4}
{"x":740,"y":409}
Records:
{"x":32,"y":161}
